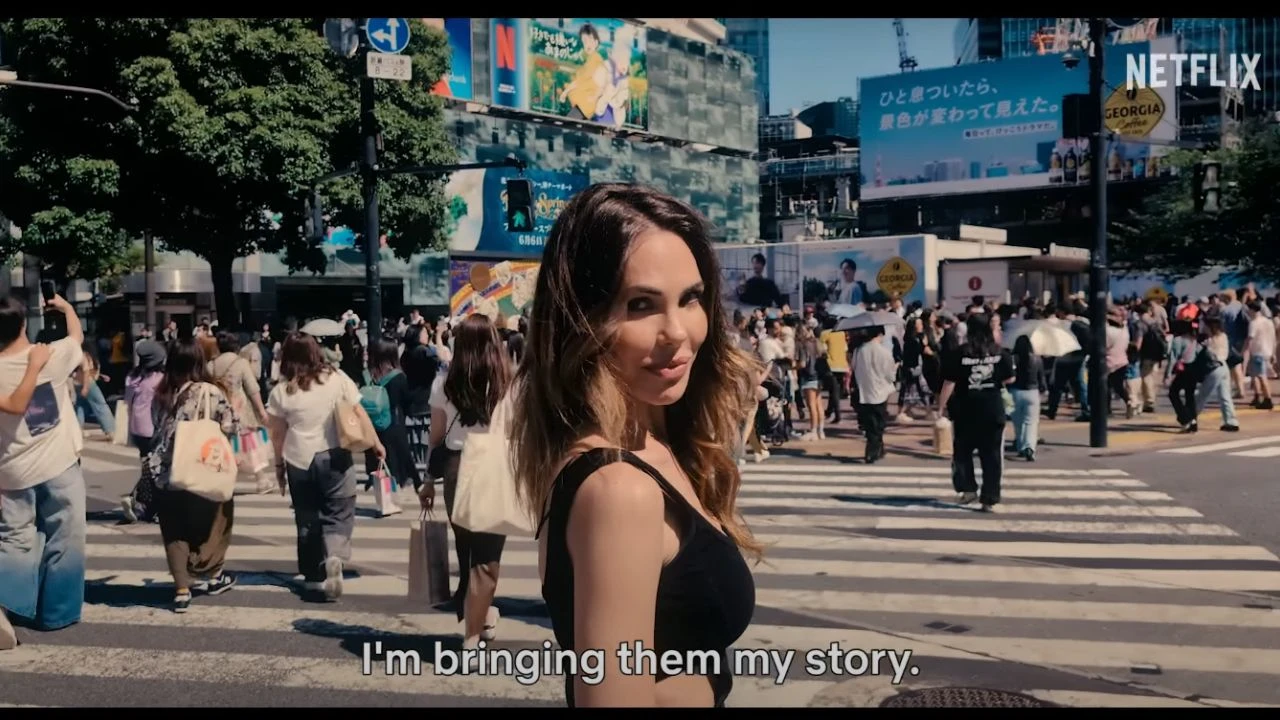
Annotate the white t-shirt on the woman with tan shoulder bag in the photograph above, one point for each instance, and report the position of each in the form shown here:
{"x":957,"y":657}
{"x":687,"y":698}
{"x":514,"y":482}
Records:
{"x":310,"y":416}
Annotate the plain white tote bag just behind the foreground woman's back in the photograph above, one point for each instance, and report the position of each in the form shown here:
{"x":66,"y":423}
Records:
{"x":486,"y":499}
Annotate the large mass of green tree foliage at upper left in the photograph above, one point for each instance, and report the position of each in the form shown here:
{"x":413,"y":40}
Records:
{"x":235,"y":119}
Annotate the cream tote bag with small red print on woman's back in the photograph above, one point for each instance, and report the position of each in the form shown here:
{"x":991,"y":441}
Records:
{"x":204,"y":462}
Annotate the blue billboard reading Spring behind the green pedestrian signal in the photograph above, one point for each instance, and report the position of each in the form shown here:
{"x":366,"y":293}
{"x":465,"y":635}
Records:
{"x":478,"y":209}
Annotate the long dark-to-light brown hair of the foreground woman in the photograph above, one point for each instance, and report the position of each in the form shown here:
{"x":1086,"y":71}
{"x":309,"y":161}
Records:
{"x":565,"y":385}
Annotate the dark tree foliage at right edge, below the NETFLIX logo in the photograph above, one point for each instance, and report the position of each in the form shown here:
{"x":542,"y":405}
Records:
{"x":1169,"y":235}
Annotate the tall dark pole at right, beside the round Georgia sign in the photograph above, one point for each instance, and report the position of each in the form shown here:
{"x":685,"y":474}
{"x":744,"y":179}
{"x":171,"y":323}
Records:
{"x":1100,"y":395}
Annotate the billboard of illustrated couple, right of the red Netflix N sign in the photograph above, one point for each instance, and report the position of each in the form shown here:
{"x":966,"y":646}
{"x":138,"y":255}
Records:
{"x":591,"y":70}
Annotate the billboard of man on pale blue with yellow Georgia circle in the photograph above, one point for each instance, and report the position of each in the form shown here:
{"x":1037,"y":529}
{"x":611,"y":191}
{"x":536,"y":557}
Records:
{"x":853,"y":272}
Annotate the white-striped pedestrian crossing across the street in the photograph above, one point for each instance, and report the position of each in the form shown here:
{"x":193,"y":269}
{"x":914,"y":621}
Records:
{"x":1082,"y":575}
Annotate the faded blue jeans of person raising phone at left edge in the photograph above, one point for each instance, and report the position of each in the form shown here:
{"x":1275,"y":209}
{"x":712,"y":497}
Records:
{"x":43,"y":535}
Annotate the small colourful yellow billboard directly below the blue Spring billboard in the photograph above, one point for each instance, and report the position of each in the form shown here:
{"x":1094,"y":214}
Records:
{"x":500,"y":289}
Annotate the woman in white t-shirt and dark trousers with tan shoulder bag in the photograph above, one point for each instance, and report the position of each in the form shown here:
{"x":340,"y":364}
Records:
{"x":310,"y":462}
